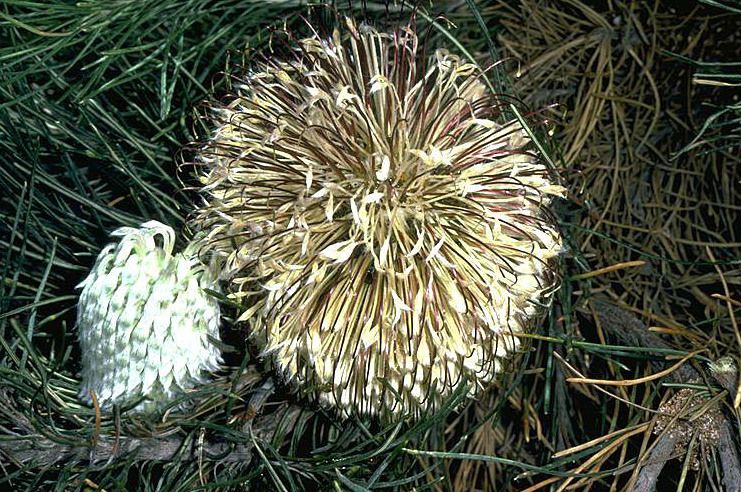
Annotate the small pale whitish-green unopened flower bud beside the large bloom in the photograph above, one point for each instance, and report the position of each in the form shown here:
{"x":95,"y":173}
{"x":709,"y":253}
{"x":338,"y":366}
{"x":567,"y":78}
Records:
{"x":144,"y":320}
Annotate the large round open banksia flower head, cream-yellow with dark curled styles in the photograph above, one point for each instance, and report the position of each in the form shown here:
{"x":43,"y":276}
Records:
{"x":387,"y":234}
